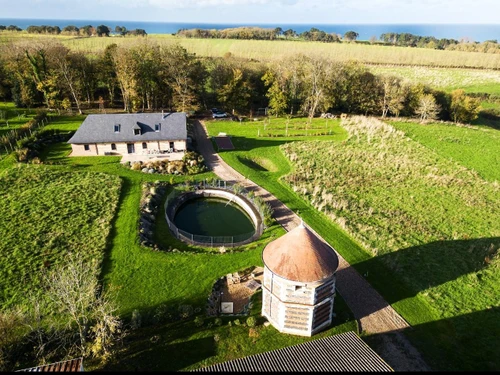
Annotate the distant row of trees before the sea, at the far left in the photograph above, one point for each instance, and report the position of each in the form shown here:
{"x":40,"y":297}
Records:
{"x":87,"y":30}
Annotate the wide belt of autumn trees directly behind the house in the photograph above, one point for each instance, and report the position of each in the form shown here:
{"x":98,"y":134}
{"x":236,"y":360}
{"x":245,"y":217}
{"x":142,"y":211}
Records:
{"x":152,"y":77}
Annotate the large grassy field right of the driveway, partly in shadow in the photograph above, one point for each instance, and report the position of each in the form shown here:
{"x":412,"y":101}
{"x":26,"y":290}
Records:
{"x":443,"y":286}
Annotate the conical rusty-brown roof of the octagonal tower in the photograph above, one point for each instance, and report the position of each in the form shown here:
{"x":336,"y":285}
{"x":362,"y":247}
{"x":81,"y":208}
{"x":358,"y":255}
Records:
{"x":300,"y":255}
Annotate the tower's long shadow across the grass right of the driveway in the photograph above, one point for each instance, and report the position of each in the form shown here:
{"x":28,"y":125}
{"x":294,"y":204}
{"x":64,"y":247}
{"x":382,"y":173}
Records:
{"x":416,"y":269}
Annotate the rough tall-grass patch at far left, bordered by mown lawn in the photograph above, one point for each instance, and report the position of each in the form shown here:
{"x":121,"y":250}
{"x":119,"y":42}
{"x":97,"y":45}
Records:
{"x":46,"y":215}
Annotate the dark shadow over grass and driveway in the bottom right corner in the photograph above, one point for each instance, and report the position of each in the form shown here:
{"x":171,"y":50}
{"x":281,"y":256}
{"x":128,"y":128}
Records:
{"x":469,"y":342}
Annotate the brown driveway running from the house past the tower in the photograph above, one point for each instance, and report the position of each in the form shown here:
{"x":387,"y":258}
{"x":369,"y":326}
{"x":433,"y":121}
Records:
{"x":373,"y":313}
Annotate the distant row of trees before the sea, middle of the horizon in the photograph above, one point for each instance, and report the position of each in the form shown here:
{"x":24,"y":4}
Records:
{"x":259,"y":33}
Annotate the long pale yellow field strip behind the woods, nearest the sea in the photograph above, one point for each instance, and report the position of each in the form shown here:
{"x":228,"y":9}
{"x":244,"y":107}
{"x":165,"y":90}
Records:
{"x":264,"y":50}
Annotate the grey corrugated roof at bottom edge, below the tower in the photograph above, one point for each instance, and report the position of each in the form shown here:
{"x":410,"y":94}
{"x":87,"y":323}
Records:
{"x":345,"y":352}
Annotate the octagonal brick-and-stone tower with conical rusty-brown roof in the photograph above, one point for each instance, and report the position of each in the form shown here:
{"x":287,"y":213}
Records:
{"x":299,"y":282}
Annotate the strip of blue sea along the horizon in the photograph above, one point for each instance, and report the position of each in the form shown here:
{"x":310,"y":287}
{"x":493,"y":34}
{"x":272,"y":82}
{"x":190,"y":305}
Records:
{"x":470,"y":32}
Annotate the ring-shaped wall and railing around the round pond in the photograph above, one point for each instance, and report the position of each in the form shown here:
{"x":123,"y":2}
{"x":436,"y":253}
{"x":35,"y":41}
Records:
{"x":214,"y":241}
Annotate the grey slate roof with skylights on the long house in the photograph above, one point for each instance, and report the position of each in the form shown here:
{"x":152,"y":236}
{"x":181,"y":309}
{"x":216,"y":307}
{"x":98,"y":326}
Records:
{"x":101,"y":128}
